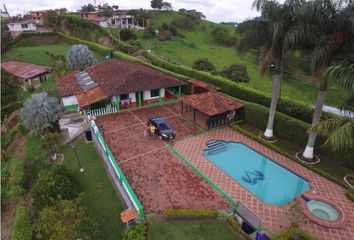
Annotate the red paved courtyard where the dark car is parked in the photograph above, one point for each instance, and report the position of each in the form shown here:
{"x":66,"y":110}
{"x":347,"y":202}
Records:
{"x":159,"y":178}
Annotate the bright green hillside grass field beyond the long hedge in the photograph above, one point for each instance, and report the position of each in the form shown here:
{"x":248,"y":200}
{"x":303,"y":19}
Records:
{"x":198,"y":44}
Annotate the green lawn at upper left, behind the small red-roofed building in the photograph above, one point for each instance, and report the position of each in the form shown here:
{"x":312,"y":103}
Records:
{"x":37,"y":54}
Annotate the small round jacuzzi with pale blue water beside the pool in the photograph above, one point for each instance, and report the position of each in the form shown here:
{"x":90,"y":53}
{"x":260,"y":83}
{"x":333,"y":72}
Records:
{"x":322,"y":210}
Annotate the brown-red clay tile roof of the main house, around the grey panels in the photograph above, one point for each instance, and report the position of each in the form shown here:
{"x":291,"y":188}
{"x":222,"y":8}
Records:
{"x":118,"y":77}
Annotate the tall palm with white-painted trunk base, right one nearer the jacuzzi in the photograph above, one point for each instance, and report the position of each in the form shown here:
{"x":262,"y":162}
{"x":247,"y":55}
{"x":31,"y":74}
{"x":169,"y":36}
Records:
{"x":324,"y":28}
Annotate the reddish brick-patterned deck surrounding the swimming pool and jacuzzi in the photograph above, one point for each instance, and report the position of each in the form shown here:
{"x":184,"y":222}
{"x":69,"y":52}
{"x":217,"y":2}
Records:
{"x":275,"y":218}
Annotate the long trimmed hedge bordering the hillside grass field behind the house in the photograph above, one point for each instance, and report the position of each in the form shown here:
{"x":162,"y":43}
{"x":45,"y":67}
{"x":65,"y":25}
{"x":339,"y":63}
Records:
{"x":289,"y":107}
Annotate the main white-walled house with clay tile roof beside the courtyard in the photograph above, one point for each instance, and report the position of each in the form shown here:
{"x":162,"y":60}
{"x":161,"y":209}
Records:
{"x":115,"y":84}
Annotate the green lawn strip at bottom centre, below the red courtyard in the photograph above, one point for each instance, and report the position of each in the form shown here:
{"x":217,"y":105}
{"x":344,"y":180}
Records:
{"x":191,"y":230}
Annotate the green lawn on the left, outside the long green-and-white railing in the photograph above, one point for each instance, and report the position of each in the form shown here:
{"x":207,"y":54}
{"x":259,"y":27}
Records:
{"x":101,"y":201}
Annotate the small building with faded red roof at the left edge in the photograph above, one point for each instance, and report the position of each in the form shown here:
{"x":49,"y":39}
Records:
{"x":26,"y":73}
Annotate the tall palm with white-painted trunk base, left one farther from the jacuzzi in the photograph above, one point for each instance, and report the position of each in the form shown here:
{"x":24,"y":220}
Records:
{"x":267,"y":34}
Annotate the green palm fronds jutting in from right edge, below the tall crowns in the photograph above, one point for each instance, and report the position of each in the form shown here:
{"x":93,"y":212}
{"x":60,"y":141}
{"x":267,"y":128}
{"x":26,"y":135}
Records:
{"x":340,"y":131}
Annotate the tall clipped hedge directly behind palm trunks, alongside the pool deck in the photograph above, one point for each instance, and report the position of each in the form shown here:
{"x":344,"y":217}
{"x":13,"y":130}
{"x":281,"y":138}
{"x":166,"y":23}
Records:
{"x":294,"y":131}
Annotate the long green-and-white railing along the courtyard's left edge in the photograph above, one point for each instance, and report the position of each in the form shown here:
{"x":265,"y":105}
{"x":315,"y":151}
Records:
{"x":128,"y":189}
